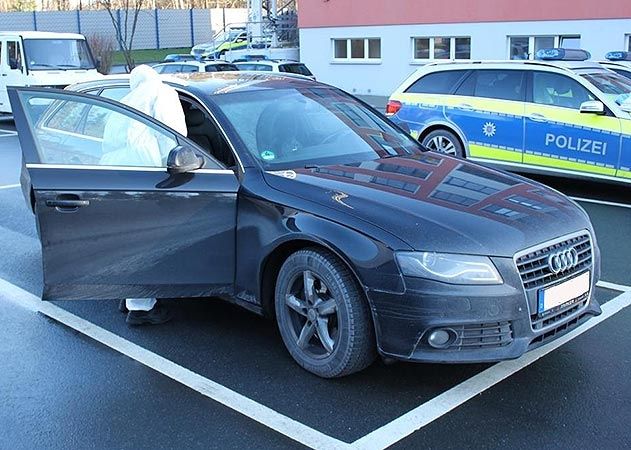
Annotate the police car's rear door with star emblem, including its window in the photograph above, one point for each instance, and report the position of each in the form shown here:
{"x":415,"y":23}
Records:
{"x":489,"y":110}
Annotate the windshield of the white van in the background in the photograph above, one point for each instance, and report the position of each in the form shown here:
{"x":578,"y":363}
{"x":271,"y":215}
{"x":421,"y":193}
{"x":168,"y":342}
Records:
{"x":66,"y":54}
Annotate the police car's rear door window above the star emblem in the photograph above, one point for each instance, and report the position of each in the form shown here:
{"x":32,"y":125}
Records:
{"x":498,"y":84}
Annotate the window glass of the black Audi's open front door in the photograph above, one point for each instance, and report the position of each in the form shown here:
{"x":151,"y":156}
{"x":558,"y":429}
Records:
{"x":114,"y":137}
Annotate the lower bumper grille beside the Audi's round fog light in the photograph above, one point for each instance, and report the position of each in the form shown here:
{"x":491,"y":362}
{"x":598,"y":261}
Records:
{"x":486,"y":335}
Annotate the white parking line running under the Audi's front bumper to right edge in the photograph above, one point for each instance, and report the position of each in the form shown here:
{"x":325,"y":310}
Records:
{"x":437,"y":407}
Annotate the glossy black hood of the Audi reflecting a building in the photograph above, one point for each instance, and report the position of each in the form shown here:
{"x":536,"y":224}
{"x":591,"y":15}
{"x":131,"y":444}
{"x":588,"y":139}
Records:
{"x":439,"y":203}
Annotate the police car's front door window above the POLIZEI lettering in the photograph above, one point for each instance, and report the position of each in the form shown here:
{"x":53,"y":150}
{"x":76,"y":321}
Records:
{"x":558,"y":90}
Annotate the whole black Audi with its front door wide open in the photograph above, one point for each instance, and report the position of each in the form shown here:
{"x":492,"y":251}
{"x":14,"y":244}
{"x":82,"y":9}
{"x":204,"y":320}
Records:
{"x":300,"y":202}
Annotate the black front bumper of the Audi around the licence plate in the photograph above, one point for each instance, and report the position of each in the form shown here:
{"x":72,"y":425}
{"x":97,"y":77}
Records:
{"x":489,"y":323}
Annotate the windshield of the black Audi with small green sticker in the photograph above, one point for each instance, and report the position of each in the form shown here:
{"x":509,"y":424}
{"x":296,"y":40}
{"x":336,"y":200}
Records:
{"x":296,"y":128}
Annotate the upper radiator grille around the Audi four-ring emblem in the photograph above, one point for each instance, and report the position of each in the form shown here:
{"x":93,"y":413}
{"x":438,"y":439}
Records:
{"x":533,"y":266}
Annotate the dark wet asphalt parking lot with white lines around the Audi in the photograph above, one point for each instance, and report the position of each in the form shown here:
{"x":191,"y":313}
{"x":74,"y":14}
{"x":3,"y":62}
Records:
{"x":73,"y":375}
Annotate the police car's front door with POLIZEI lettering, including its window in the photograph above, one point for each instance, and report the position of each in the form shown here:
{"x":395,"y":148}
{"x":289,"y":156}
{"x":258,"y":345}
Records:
{"x":561,"y":137}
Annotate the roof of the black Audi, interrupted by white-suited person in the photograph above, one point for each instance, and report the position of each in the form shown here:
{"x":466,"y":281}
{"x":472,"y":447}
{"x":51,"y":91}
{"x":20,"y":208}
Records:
{"x":214,"y":83}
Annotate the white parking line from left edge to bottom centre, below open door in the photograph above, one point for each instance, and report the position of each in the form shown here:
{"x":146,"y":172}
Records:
{"x":215,"y":391}
